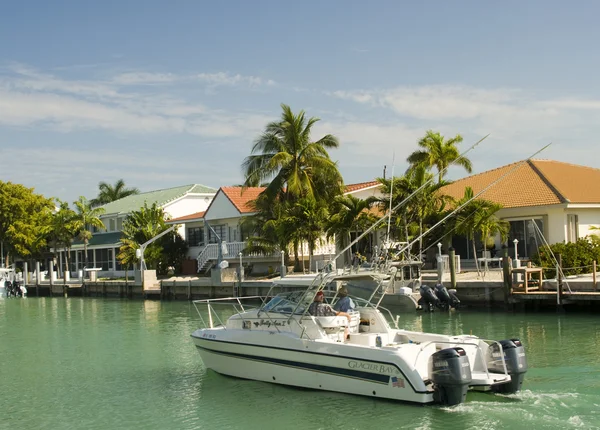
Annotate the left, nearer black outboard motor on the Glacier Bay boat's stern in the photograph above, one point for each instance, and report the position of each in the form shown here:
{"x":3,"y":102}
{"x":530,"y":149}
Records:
{"x":451,"y":375}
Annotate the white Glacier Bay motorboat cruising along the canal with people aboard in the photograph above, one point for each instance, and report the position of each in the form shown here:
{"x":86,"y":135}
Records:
{"x":277,"y":341}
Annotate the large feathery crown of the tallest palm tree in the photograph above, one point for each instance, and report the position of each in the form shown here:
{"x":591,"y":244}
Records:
{"x":295,"y":165}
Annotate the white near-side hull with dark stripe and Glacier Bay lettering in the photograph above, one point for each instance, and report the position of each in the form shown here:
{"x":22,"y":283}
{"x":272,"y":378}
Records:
{"x":311,"y":364}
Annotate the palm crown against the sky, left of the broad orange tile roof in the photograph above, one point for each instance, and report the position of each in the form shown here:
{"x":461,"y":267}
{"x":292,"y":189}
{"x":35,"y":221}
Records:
{"x":439,"y":153}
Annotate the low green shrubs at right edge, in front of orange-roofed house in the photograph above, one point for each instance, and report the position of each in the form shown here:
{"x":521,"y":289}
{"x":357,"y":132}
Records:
{"x":577,"y":257}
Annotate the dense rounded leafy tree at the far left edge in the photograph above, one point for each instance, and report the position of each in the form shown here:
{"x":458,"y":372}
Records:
{"x":25,"y":220}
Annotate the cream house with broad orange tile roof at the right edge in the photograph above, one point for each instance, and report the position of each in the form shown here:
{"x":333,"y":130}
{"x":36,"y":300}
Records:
{"x":562,"y":200}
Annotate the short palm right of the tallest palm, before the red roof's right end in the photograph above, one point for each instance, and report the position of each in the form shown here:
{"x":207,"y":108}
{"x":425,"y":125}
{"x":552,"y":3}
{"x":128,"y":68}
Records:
{"x":349,"y":214}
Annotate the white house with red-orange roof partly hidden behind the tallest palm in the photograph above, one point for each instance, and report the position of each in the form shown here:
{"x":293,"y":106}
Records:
{"x":222,"y":219}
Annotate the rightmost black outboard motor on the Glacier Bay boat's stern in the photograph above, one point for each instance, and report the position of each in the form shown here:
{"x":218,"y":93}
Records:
{"x":516,"y":364}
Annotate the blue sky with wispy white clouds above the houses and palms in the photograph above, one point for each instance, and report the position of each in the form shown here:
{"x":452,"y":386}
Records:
{"x":165,"y":94}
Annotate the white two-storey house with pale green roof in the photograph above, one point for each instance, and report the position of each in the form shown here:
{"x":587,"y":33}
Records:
{"x":104,"y":245}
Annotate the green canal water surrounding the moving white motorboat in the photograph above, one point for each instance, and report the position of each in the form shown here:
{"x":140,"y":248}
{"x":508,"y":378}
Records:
{"x":118,"y":364}
